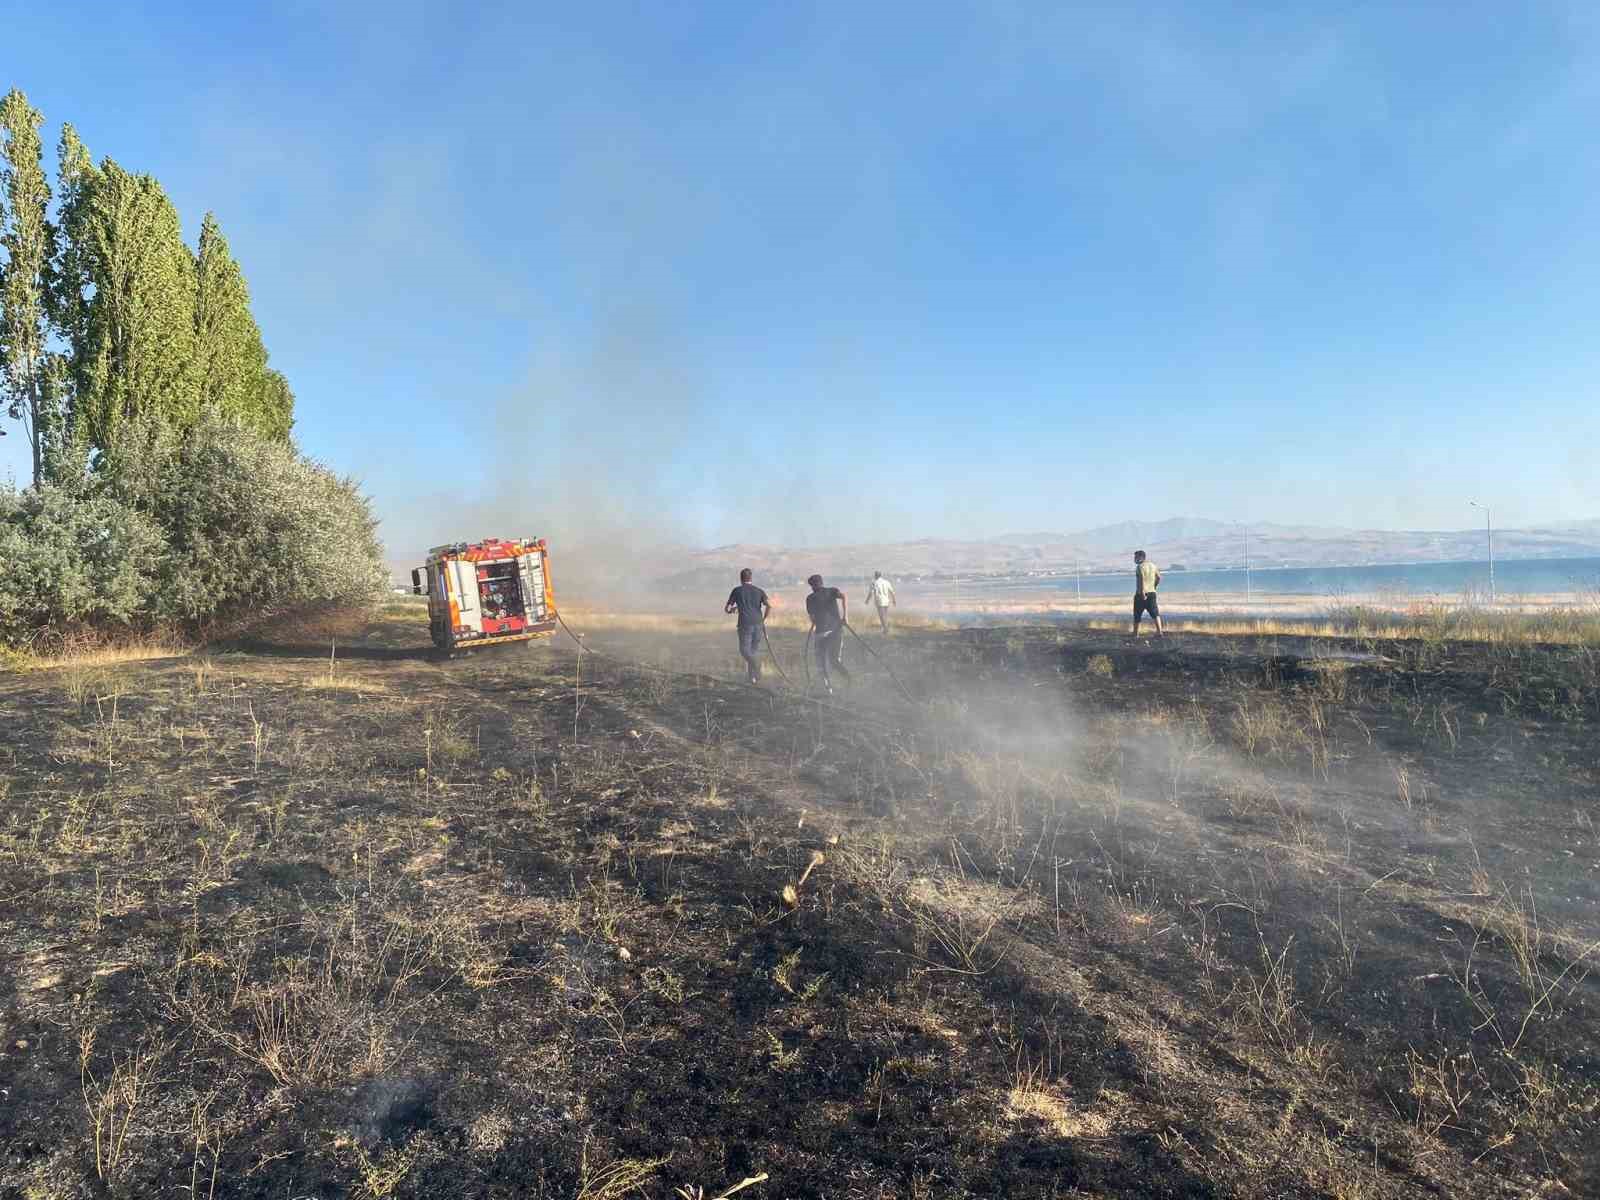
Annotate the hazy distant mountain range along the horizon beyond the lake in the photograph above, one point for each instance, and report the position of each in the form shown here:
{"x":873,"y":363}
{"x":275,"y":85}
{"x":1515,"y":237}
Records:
{"x":1191,"y":543}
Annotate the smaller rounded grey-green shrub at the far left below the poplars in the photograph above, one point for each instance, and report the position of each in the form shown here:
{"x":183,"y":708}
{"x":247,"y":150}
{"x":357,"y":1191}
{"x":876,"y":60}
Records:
{"x":73,"y":554}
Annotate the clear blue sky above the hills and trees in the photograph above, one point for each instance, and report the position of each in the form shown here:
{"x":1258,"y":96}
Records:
{"x":834,"y":273}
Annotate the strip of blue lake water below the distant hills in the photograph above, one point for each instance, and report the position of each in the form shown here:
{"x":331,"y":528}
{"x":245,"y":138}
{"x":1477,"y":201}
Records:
{"x":1519,"y":577}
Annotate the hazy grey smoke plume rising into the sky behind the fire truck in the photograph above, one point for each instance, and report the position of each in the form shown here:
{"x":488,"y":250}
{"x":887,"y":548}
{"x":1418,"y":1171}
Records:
{"x":623,"y":454}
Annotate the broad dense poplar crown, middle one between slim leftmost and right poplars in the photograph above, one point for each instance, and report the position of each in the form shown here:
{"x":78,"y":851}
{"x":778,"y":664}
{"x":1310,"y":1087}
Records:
{"x":134,"y":345}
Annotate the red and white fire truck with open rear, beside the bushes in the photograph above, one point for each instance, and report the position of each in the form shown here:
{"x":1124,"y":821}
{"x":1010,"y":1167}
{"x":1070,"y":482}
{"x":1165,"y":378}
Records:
{"x":482,"y":594}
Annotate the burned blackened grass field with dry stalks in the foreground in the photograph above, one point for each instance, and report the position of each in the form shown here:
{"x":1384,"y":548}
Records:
{"x":322,"y":916}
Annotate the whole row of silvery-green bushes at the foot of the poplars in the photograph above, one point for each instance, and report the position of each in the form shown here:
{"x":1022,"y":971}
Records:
{"x":185,"y":529}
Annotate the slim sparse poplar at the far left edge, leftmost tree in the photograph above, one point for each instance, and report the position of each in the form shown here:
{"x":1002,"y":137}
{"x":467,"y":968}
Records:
{"x":28,"y":375}
